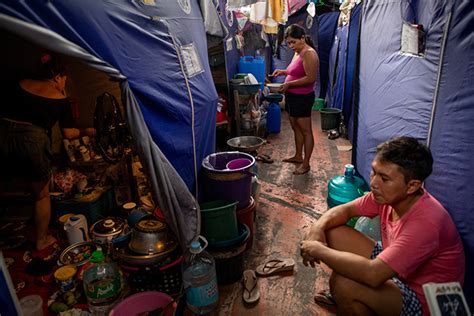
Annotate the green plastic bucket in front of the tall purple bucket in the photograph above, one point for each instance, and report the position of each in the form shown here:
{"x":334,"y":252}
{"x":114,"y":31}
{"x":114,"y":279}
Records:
{"x":219,"y":220}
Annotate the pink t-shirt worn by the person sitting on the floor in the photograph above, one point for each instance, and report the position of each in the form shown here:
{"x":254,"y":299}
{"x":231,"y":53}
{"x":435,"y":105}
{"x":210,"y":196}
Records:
{"x":422,"y":246}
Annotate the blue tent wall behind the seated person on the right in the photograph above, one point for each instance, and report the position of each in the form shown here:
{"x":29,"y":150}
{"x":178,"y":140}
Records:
{"x":429,"y":97}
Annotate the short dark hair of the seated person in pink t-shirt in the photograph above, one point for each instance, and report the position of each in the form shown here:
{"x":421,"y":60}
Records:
{"x":413,"y":158}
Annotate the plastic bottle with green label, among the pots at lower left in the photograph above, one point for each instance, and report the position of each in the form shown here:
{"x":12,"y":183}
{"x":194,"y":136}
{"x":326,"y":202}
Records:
{"x":102,"y":284}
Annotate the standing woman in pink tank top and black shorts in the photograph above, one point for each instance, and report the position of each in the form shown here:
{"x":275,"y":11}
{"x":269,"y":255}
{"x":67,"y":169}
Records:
{"x":299,"y":93}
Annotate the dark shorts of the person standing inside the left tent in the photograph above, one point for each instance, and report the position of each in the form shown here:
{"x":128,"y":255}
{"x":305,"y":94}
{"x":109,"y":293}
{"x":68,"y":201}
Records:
{"x":25,"y":151}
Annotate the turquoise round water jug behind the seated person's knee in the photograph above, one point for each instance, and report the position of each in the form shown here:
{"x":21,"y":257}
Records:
{"x":343,"y":189}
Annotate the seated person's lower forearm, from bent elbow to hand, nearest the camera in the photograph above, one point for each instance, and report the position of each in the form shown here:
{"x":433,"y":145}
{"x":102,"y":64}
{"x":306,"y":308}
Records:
{"x":372,"y":272}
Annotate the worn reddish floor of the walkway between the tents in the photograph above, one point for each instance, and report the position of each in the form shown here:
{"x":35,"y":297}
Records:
{"x":287,"y":206}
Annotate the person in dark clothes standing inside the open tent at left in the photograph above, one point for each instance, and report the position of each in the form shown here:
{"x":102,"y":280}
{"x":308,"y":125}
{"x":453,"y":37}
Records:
{"x":25,"y":122}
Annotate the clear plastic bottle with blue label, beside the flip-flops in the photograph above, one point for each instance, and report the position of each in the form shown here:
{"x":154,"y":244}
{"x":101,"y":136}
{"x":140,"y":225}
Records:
{"x":199,"y":279}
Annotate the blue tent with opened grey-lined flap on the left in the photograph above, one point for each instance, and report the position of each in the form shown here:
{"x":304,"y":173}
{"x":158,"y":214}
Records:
{"x":158,"y":52}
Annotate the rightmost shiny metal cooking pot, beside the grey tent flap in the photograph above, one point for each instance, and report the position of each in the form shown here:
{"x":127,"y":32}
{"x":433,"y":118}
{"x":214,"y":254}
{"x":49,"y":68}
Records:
{"x":149,"y":236}
